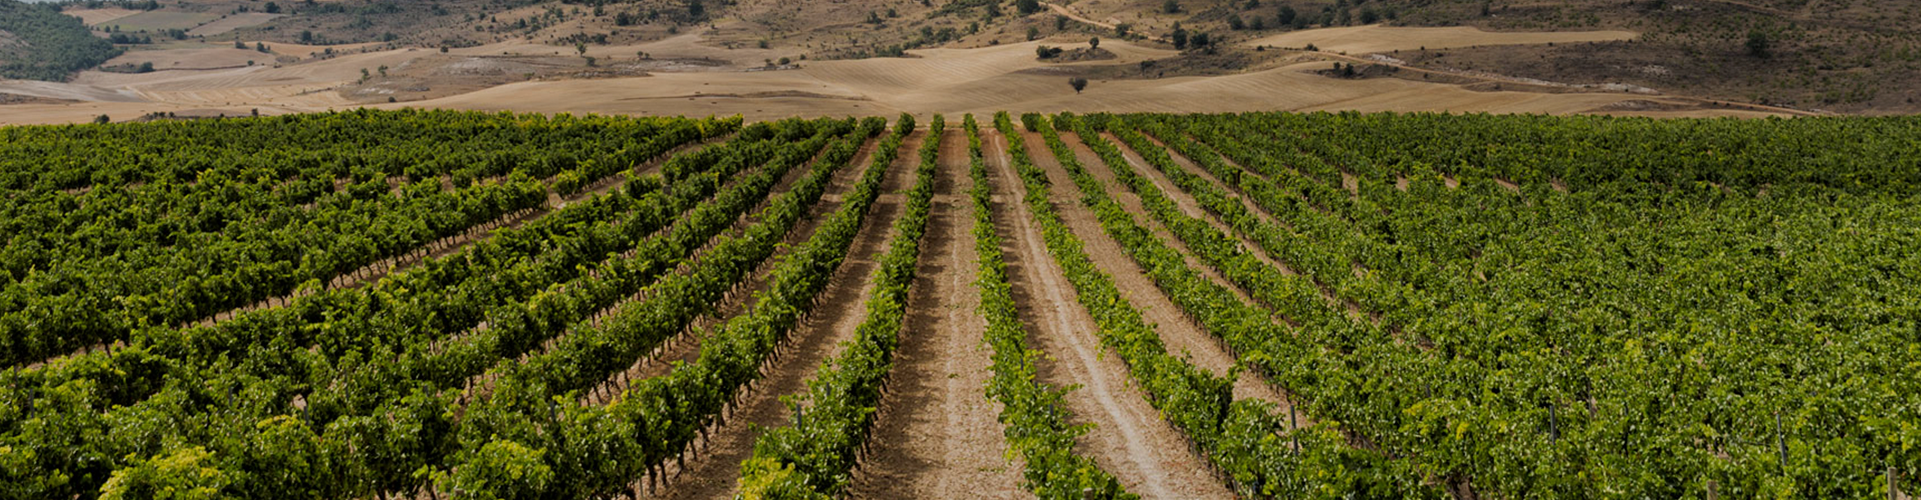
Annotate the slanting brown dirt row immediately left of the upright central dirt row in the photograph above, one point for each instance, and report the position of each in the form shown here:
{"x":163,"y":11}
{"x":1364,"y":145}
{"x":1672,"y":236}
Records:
{"x":821,"y":336}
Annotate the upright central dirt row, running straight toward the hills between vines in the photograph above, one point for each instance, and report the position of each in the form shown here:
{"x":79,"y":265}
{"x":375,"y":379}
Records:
{"x":938,"y":434}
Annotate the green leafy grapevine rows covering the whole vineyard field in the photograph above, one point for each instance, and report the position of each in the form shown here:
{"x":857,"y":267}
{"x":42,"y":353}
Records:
{"x":1505,"y":307}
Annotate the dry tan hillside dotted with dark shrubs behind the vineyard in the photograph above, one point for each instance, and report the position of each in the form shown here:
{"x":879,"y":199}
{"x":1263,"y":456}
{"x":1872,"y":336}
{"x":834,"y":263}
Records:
{"x":767,"y":59}
